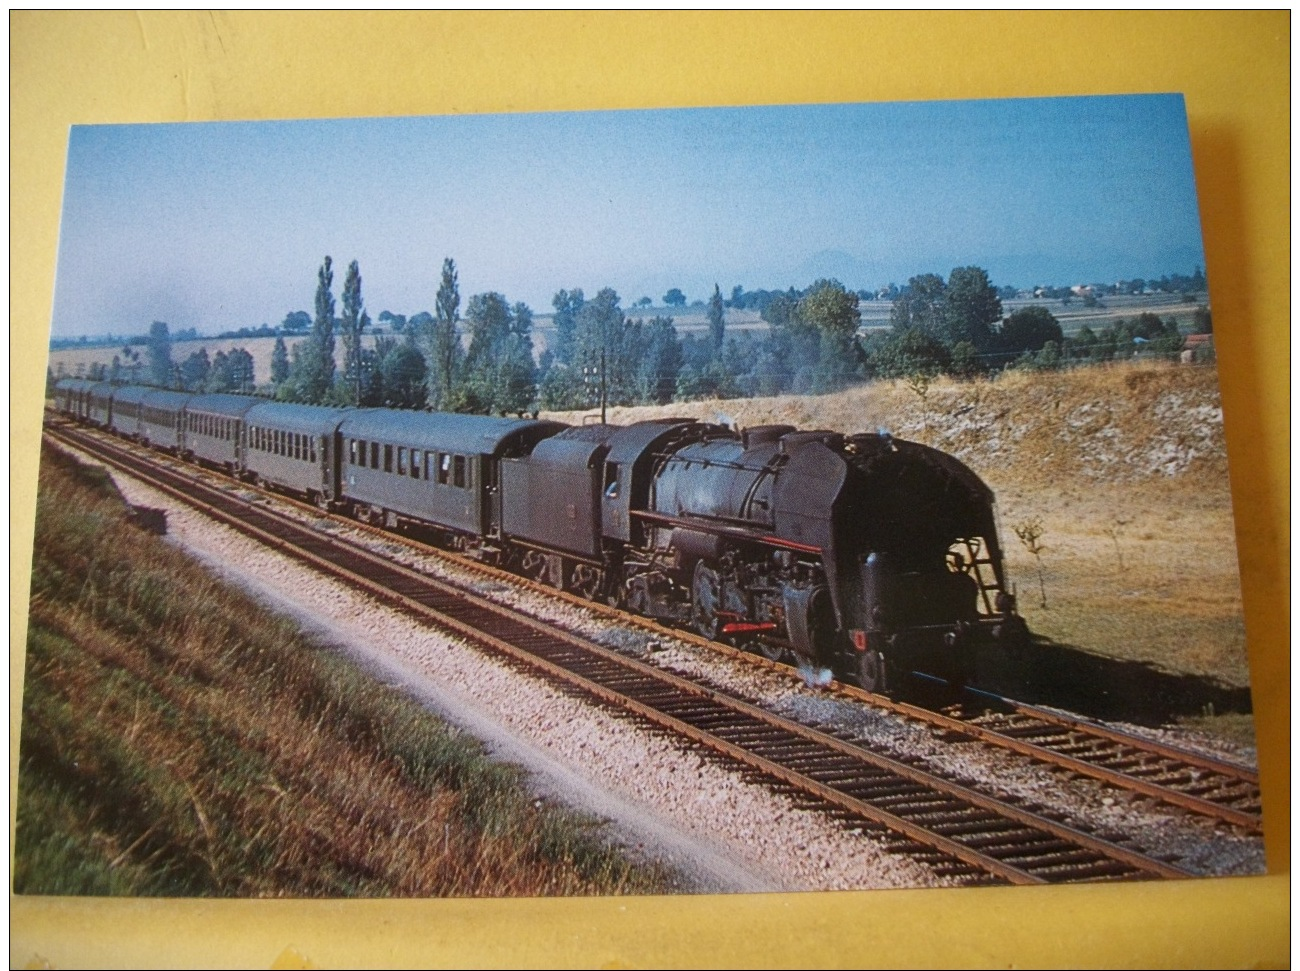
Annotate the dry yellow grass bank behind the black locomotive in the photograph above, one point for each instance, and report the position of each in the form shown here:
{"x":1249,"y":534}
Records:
{"x":1123,"y":467}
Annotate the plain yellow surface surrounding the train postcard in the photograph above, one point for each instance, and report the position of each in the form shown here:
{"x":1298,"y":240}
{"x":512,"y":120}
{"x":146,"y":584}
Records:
{"x":1233,"y":68}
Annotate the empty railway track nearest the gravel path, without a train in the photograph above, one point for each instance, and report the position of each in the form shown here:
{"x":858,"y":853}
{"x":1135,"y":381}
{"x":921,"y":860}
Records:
{"x":954,"y":829}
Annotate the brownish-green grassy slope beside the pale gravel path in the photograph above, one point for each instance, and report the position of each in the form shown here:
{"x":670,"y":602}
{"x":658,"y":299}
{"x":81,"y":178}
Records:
{"x":180,"y":740}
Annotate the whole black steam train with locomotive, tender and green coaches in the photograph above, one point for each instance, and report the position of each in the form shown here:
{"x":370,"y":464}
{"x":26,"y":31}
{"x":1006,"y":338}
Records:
{"x":863,"y":554}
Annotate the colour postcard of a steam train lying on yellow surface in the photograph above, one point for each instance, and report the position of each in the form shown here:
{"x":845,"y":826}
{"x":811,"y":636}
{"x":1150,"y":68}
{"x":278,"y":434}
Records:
{"x":704,"y":501}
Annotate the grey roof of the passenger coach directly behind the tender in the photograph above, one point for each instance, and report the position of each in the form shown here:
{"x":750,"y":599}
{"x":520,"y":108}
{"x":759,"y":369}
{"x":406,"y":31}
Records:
{"x":445,"y":432}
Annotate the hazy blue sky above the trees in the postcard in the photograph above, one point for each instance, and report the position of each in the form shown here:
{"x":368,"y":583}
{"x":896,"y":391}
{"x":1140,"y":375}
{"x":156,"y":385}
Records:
{"x":224,"y":226}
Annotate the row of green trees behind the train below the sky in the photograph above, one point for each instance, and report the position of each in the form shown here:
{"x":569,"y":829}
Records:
{"x":486,"y":362}
